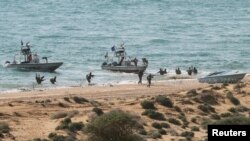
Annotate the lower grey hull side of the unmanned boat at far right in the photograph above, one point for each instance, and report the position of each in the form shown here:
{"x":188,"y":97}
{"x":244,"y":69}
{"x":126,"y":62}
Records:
{"x":234,"y":78}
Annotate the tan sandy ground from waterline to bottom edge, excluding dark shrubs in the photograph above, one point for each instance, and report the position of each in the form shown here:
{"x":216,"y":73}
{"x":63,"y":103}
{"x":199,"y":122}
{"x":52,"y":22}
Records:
{"x":29,"y":113}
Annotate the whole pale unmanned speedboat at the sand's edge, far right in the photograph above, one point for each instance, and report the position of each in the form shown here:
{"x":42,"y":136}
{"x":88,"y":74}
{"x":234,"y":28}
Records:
{"x":223,"y":77}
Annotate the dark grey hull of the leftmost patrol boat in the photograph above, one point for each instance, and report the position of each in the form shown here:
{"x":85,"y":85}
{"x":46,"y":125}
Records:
{"x":46,"y":67}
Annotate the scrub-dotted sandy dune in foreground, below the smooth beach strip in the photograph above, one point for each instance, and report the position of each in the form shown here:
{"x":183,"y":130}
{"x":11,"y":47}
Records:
{"x":154,"y":117}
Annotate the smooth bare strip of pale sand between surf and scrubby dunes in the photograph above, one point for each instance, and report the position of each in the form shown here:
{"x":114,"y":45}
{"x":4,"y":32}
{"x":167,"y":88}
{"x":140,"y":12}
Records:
{"x":90,"y":91}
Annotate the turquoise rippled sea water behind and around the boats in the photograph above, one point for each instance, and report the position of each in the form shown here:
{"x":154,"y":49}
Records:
{"x":209,"y":34}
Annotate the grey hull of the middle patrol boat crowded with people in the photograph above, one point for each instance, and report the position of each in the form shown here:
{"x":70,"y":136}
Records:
{"x":127,"y":69}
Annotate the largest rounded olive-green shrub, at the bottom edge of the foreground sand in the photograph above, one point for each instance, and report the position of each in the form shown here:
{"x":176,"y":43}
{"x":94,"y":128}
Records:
{"x":115,"y":125}
